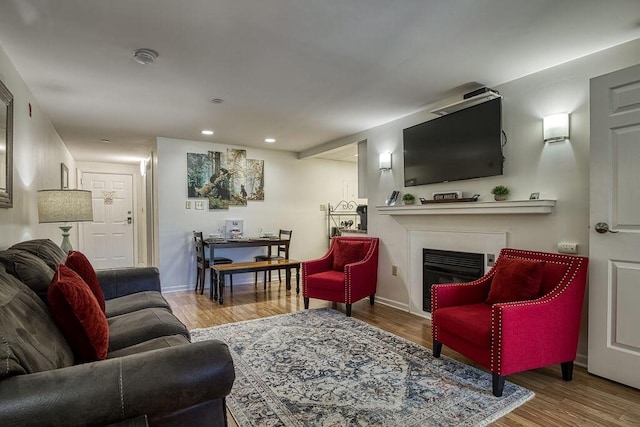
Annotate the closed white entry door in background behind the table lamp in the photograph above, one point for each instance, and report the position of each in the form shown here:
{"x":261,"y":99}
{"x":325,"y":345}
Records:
{"x":108,"y":240}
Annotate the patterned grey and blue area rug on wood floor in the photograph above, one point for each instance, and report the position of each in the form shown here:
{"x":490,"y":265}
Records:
{"x":320,"y":368}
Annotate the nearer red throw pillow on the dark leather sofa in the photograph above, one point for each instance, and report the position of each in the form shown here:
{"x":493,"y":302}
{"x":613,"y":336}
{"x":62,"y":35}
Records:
{"x":75,"y":310}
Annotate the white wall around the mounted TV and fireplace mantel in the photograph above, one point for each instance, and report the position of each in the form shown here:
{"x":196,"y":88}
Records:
{"x":558,"y":171}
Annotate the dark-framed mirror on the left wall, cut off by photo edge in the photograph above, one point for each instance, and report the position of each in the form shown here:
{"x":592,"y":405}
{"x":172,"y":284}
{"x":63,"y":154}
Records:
{"x":6,"y":147}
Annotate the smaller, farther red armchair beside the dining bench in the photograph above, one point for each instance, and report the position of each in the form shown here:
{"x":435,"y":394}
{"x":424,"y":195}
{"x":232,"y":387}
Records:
{"x":347,"y":273}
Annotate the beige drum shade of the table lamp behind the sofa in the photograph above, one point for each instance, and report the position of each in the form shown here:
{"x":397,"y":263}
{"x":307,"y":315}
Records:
{"x":64,"y":206}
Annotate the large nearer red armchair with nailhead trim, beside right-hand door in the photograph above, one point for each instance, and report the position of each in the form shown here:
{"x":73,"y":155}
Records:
{"x":523,"y":314}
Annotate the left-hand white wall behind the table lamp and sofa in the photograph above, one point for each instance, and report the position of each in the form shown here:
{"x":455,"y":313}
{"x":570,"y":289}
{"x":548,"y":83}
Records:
{"x":37,"y":154}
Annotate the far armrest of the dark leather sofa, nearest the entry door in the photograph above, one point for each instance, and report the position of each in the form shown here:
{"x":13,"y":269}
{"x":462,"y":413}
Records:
{"x":124,"y":281}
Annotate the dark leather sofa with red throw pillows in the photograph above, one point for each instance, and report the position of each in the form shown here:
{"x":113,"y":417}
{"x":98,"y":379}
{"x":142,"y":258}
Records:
{"x":152,"y":372}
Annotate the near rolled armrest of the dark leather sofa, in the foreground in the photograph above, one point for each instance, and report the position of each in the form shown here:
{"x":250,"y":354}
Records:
{"x":153,"y":383}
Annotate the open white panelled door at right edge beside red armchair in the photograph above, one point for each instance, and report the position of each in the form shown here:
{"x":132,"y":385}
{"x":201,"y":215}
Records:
{"x":614,"y":282}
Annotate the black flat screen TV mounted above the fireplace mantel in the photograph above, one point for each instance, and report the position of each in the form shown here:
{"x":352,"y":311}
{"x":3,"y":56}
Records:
{"x":462,"y":145}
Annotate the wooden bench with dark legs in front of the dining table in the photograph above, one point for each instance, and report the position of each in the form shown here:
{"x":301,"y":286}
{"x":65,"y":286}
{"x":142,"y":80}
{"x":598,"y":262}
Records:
{"x":220,"y":270}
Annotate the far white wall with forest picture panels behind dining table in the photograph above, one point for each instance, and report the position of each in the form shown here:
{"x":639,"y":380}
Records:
{"x":294,"y":190}
